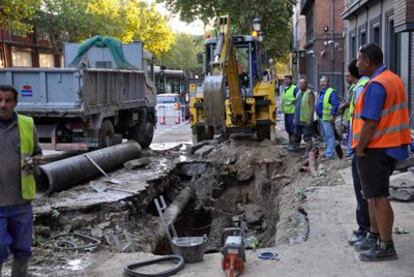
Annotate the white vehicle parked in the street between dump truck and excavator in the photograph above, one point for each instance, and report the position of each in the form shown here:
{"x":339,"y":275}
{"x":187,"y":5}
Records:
{"x":171,"y":106}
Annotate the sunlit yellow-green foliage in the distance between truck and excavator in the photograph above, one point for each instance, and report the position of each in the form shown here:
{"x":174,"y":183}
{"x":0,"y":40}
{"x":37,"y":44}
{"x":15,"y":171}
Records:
{"x":183,"y":54}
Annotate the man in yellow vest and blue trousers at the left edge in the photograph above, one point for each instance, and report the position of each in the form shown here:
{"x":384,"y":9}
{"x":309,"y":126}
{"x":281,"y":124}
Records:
{"x":19,"y":157}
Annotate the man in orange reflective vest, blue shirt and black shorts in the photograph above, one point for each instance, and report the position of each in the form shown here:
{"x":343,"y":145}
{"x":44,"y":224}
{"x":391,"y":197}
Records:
{"x":381,"y":135}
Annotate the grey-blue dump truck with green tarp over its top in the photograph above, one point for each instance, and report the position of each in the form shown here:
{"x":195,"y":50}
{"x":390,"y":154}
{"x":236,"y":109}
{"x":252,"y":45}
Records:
{"x":105,"y":92}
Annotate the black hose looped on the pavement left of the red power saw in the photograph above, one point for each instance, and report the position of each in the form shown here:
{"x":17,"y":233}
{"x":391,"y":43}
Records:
{"x":129,"y":269}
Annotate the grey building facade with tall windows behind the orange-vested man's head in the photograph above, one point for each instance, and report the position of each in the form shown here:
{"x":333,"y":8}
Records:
{"x":390,"y":24}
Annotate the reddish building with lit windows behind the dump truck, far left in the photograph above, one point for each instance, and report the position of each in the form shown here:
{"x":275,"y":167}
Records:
{"x":26,"y":50}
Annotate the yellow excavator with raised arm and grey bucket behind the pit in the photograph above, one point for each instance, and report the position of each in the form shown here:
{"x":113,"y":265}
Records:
{"x":237,"y":96}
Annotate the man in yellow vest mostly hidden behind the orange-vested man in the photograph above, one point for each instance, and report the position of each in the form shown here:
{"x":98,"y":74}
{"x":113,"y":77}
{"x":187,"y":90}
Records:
{"x":357,"y":83}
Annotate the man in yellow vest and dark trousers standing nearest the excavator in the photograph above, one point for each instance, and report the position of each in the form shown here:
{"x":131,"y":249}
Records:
{"x":288,"y":107}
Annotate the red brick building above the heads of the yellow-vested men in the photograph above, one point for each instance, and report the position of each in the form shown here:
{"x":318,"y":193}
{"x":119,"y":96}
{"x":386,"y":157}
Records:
{"x":323,"y":51}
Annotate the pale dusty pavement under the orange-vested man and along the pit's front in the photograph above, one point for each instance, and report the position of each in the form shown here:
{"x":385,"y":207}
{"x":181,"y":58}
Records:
{"x":331,"y":212}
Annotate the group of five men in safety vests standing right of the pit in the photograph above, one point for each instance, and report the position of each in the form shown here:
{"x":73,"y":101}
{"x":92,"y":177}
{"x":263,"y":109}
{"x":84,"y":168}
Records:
{"x":379,"y":135}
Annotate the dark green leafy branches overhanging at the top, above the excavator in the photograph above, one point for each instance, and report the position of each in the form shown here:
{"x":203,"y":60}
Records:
{"x":275,"y":16}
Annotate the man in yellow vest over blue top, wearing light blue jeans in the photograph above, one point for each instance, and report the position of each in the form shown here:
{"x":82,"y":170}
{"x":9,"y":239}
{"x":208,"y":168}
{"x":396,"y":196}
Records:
{"x":326,"y":108}
